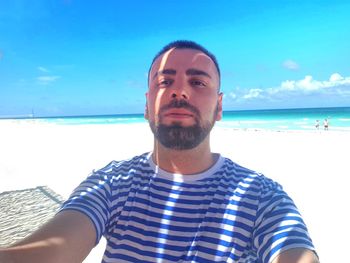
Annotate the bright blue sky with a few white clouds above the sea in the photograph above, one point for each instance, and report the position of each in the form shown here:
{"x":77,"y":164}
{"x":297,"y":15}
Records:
{"x":61,"y":57}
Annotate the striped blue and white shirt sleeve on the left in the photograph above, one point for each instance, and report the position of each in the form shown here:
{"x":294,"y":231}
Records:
{"x":92,"y":198}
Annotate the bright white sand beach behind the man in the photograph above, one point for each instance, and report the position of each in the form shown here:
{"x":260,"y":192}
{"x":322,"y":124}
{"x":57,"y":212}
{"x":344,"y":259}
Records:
{"x":311,"y":166}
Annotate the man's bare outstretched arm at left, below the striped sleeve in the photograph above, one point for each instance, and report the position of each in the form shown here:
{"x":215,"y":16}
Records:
{"x":68,"y":238}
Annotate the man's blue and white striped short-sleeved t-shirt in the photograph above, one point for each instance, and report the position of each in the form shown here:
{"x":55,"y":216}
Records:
{"x":226,"y":214}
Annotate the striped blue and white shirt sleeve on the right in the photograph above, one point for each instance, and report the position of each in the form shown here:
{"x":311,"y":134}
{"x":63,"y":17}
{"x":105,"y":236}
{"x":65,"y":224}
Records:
{"x":279,"y":225}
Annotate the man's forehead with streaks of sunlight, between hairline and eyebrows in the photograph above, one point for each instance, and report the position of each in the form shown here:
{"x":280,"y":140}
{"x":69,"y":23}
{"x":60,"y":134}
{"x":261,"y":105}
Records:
{"x":183,"y":59}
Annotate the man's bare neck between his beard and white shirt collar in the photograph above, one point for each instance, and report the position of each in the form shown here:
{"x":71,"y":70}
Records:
{"x":191,"y":161}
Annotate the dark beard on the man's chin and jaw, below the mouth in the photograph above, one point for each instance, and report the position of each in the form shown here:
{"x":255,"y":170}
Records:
{"x":177,"y":137}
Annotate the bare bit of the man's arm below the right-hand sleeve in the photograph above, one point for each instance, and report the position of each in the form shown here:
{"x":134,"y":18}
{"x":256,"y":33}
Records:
{"x":296,"y":255}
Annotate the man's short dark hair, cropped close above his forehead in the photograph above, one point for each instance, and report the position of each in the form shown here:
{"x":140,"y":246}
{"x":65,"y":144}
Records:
{"x":183,"y":44}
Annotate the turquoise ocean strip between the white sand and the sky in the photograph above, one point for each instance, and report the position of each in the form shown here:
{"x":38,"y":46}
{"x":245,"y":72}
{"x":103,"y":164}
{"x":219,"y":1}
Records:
{"x":276,"y":119}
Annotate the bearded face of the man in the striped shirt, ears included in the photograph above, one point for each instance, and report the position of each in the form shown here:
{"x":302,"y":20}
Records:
{"x":183,"y":102}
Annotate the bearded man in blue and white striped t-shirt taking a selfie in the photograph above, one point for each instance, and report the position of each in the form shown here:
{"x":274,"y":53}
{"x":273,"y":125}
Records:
{"x":181,"y":202}
